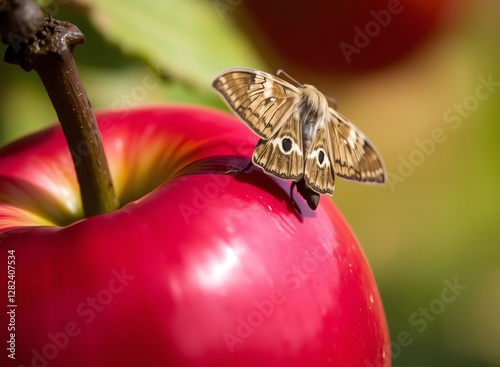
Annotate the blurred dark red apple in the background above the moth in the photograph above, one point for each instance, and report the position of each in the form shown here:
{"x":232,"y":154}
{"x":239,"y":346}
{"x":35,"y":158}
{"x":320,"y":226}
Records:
{"x":342,"y":36}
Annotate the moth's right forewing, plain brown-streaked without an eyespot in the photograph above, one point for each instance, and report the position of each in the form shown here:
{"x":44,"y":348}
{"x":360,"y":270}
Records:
{"x":354,"y":157}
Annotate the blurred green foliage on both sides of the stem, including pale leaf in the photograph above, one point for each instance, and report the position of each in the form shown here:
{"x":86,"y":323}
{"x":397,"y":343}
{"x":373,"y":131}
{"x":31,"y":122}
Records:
{"x":180,"y":44}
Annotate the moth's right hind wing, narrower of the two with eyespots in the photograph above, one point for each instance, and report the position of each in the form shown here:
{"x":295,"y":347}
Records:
{"x":318,"y":171}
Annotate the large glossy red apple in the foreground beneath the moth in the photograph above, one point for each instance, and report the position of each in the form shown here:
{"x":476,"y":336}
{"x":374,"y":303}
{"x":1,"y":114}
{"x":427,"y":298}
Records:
{"x":204,"y":269}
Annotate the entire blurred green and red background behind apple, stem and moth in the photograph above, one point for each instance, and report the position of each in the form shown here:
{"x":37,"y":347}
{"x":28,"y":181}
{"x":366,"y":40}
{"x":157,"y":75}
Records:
{"x":420,"y":78}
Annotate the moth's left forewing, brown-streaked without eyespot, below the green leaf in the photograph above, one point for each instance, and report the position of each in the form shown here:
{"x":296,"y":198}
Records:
{"x":263,"y":101}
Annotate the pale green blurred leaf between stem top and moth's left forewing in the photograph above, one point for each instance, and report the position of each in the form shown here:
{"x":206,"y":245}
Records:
{"x":191,"y":40}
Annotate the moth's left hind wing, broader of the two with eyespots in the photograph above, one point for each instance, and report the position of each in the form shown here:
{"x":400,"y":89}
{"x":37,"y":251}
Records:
{"x":282,"y":154}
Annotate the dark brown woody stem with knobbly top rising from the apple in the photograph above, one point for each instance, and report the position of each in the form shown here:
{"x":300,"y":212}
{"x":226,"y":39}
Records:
{"x":48,"y":49}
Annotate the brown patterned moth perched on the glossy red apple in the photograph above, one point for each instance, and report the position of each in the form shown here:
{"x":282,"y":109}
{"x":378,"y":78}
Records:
{"x":302,"y":138}
